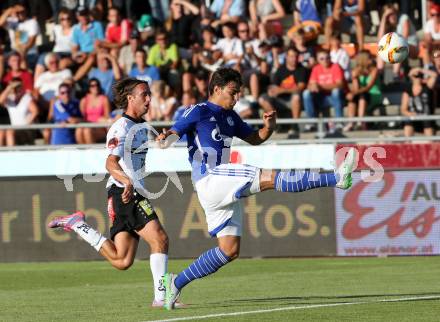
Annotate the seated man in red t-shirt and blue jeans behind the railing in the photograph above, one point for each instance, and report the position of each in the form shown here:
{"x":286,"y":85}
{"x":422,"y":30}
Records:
{"x":325,"y":88}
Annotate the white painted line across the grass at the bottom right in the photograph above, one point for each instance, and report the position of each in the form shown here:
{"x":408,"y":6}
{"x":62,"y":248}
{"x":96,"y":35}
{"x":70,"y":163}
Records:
{"x":303,"y":307}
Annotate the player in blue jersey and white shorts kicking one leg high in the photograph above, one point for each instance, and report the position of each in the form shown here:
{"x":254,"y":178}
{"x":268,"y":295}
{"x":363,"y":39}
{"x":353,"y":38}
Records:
{"x":210,"y":127}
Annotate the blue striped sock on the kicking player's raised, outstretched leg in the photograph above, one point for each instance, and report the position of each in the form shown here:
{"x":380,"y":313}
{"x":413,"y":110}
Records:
{"x":296,"y":181}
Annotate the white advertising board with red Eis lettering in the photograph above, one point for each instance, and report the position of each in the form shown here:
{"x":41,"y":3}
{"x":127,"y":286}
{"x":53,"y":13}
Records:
{"x":399,"y":215}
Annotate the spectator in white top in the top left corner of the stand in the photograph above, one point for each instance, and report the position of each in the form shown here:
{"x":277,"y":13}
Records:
{"x":23,"y":32}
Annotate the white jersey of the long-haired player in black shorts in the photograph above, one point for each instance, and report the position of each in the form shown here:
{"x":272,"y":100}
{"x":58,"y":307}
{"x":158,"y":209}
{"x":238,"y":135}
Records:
{"x":125,"y":139}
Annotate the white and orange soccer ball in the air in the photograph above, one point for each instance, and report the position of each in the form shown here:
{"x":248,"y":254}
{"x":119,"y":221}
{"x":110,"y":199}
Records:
{"x":393,"y":48}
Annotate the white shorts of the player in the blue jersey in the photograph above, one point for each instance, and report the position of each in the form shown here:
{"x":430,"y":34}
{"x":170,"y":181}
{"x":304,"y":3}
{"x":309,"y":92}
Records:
{"x":220,"y":194}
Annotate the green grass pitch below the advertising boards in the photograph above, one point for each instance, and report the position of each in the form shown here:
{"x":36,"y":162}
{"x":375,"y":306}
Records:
{"x":373,"y":289}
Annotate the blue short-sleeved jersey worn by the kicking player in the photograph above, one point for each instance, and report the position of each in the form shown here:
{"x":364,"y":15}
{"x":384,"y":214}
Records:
{"x":209,"y":129}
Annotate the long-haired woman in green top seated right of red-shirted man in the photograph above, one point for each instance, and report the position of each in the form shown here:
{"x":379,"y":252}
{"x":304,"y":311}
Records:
{"x":365,"y":93}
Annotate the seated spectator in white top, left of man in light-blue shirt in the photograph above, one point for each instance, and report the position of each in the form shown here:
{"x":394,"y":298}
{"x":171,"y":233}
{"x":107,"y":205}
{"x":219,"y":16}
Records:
{"x":62,"y":35}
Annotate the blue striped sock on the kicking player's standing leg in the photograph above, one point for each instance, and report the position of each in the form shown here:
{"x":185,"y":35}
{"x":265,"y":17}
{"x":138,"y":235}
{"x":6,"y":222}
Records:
{"x":207,"y":263}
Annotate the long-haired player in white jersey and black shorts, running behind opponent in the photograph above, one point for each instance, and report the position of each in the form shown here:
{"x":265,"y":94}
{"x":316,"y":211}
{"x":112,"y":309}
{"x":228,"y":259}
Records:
{"x":131,"y":214}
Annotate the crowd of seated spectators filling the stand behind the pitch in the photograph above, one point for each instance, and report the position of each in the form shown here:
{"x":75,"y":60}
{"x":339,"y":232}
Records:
{"x":59,"y":59}
